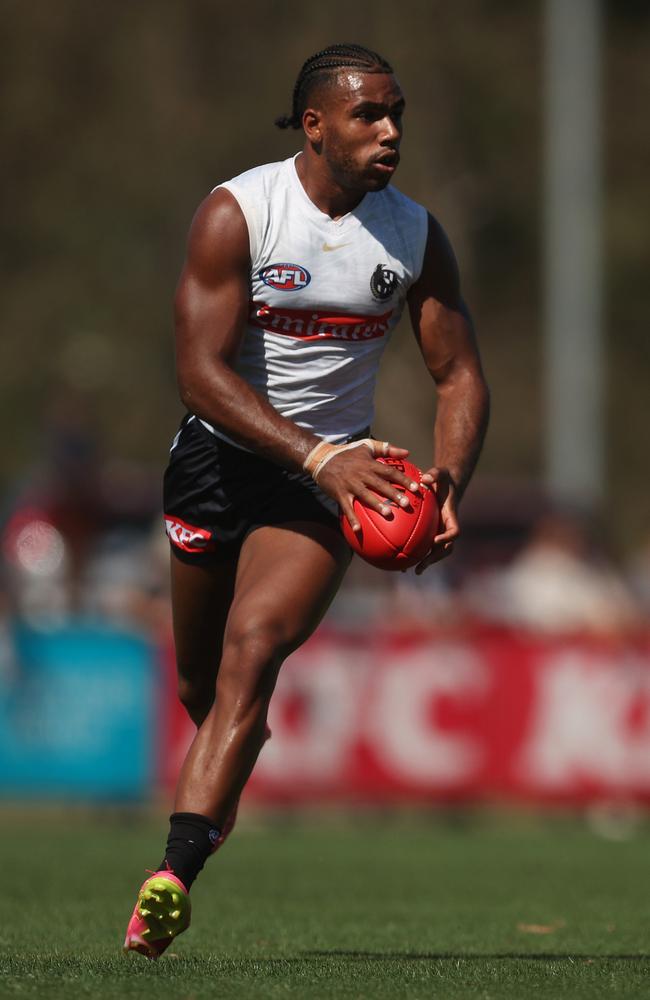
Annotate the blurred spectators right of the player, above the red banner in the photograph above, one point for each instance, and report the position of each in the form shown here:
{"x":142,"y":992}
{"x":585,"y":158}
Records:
{"x":522,"y":562}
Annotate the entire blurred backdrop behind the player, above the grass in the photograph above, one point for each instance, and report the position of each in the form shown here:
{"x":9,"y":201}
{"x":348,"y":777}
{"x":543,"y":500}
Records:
{"x":519,"y":669}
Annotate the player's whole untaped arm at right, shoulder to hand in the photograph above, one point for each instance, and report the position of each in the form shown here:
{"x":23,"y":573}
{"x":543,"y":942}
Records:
{"x":445,"y":335}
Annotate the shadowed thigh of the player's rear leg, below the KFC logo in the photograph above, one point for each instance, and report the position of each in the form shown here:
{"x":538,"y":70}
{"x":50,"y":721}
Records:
{"x":201,"y":598}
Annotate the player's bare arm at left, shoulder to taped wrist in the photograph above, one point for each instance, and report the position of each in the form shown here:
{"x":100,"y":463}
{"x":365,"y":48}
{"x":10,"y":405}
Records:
{"x":210,"y":308}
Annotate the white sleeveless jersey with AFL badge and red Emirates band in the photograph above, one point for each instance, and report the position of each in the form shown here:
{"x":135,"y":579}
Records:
{"x":325,"y":296}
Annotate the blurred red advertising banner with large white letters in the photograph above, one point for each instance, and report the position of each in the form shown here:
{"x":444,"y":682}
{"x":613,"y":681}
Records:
{"x":500,"y":715}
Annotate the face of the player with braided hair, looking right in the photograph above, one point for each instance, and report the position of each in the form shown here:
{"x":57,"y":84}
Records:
{"x":361,"y":129}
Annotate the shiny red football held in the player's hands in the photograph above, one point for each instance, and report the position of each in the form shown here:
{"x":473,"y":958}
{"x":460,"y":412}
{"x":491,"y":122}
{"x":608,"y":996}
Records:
{"x":404,"y":538}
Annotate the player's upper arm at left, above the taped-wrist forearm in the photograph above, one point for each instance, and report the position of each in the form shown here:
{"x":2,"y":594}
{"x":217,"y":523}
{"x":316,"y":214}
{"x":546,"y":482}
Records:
{"x":211,"y":300}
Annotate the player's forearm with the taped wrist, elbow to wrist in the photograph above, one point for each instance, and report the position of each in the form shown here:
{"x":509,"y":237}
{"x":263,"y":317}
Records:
{"x":222,"y":398}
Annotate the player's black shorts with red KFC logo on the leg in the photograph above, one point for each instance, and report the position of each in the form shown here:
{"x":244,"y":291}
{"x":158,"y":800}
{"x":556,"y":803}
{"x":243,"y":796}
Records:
{"x":215,"y":494}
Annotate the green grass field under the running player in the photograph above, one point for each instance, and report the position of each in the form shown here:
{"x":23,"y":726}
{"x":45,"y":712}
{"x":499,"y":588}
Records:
{"x":382,"y":908}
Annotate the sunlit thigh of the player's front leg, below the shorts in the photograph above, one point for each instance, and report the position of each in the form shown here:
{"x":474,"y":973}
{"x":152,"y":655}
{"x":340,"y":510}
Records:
{"x":286,"y":579}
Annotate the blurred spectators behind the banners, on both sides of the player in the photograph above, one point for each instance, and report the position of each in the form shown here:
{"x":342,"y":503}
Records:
{"x":83,"y":538}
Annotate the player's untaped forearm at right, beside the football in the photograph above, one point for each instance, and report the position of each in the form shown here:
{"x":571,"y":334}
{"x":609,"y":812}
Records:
{"x":461,"y":422}
